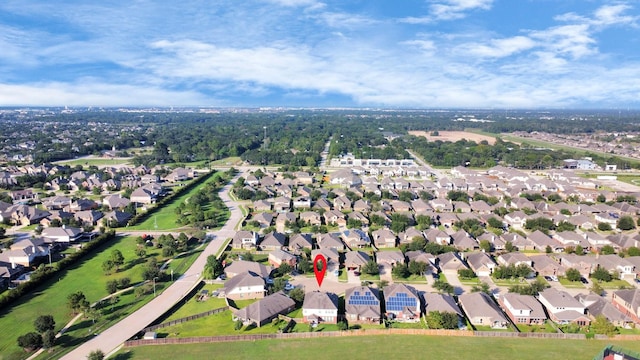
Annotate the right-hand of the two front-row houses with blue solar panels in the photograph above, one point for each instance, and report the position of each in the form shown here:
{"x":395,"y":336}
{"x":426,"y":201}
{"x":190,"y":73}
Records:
{"x":402,"y":303}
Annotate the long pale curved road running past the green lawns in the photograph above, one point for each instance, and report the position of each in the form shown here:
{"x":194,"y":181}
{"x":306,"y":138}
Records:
{"x":112,"y":338}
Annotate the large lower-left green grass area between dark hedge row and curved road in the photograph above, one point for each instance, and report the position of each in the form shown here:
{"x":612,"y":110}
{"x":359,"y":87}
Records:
{"x":88,"y":277}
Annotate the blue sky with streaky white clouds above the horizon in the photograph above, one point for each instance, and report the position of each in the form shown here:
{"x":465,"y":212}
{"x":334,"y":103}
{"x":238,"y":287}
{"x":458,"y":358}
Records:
{"x":360,"y":53}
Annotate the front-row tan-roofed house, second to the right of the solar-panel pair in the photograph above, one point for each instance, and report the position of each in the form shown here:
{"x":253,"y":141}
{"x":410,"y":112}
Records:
{"x":482,"y":311}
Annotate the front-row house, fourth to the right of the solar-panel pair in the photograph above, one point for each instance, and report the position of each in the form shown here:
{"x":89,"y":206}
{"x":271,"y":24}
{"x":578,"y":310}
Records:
{"x":562,"y":308}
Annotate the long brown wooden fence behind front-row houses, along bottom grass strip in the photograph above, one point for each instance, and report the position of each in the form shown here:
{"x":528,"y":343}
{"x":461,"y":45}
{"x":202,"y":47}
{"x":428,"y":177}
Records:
{"x":367,"y":332}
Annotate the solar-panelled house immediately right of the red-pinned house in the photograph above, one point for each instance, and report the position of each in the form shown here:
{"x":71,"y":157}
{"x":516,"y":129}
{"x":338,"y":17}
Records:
{"x":362,"y":305}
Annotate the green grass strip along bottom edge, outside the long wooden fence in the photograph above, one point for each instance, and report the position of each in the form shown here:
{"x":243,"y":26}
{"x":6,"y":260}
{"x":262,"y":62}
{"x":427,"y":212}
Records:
{"x":382,"y":347}
